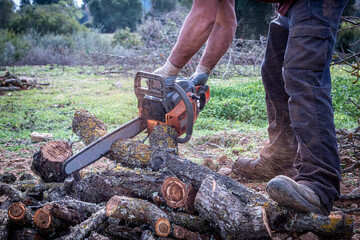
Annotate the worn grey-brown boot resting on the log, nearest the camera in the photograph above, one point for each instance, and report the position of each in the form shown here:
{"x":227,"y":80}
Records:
{"x":287,"y":192}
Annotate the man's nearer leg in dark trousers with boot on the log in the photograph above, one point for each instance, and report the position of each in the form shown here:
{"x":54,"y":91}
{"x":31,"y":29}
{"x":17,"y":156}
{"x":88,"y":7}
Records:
{"x":313,"y":26}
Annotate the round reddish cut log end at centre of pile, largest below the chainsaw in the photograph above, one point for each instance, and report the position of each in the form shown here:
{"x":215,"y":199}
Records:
{"x":174,"y":192}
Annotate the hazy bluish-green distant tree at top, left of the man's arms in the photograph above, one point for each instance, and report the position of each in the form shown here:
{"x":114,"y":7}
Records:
{"x":115,"y":14}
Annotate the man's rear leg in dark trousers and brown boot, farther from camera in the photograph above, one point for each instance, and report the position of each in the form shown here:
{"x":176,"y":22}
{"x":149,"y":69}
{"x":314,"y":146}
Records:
{"x":277,"y":157}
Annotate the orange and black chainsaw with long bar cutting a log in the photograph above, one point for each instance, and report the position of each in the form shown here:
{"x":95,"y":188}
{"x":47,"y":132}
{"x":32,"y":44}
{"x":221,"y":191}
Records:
{"x":176,"y":103}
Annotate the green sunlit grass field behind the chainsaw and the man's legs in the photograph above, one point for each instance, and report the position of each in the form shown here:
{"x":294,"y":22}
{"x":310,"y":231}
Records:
{"x":235,"y":104}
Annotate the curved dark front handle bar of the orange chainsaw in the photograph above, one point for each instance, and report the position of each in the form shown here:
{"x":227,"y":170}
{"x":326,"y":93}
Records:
{"x":189,"y":113}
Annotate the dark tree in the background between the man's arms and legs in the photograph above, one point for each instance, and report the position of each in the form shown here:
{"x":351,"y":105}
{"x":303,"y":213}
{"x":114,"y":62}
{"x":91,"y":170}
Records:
{"x":253,"y":18}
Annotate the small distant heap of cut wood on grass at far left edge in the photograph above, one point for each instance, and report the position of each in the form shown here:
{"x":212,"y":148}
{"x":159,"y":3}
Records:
{"x":9,"y":82}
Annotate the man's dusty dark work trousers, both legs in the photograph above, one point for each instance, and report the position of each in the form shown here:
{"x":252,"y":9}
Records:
{"x":297,"y":82}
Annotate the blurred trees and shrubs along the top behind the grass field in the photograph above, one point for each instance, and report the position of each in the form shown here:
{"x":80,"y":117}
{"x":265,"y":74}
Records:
{"x":61,"y":32}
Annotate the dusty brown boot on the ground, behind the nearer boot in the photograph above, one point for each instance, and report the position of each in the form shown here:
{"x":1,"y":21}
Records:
{"x":258,"y":169}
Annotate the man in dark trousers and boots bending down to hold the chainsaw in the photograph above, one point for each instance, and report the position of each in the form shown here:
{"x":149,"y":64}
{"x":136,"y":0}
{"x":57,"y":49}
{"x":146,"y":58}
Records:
{"x":297,"y":84}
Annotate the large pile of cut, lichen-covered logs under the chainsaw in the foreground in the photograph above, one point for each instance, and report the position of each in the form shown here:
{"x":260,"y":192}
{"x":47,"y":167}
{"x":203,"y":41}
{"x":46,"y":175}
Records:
{"x":151,"y":193}
